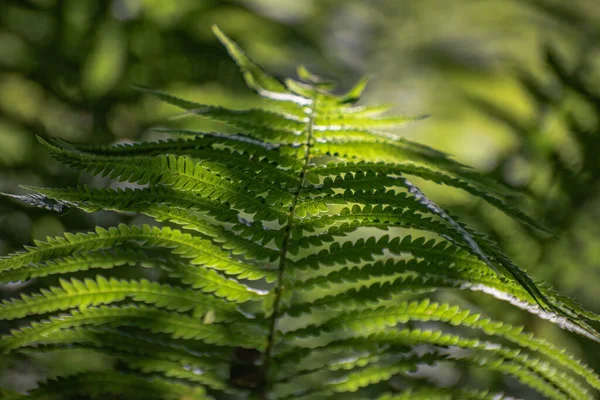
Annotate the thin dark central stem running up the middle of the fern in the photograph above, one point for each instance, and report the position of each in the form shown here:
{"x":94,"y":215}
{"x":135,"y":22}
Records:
{"x":265,"y":385}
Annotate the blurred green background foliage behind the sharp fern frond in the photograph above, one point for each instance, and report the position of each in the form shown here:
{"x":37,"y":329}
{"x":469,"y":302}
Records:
{"x":512,"y":87}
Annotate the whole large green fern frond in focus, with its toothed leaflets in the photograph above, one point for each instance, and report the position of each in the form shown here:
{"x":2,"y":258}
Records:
{"x":297,"y":260}
